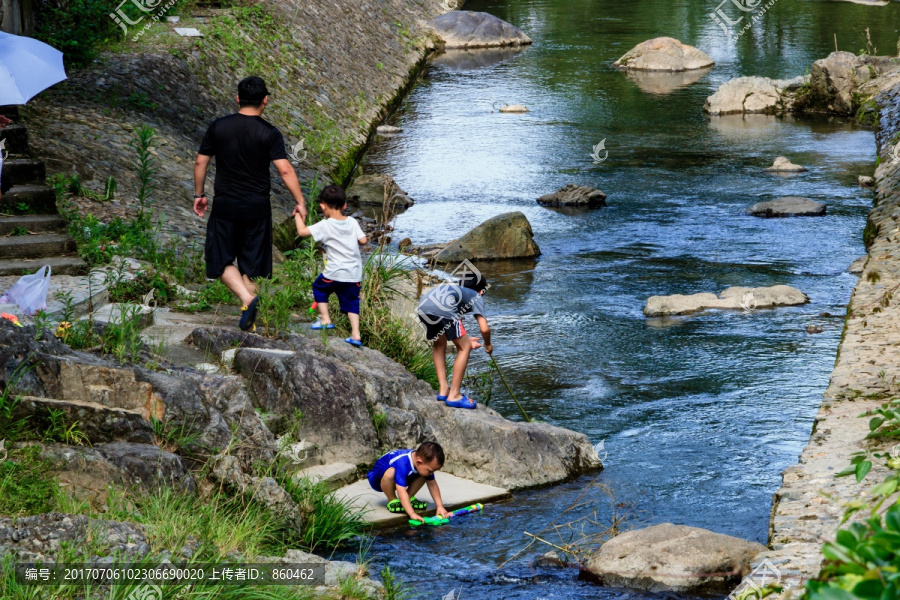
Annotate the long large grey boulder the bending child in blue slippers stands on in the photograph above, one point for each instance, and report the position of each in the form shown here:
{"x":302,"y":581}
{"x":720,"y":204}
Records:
{"x":357,"y":403}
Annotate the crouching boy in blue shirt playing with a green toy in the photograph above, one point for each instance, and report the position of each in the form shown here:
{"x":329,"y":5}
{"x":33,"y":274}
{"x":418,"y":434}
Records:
{"x":402,"y":473}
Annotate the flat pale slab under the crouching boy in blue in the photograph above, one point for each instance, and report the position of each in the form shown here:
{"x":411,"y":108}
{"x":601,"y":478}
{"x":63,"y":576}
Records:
{"x":455,"y":491}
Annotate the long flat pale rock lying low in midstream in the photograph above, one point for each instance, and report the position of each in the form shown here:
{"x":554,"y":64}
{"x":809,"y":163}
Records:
{"x":735,"y":298}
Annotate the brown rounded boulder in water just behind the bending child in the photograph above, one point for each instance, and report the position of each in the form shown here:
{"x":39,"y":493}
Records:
{"x":505,"y":236}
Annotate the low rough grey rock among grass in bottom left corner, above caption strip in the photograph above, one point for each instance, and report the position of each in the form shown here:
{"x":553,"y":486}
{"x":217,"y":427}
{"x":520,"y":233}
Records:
{"x":38,"y":538}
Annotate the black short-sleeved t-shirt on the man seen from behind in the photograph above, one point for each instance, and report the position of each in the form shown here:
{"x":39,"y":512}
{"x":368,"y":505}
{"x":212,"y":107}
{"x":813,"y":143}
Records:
{"x":243,"y":146}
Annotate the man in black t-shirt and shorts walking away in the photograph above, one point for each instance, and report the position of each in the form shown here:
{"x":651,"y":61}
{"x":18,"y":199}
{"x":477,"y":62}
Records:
{"x":240,"y":224}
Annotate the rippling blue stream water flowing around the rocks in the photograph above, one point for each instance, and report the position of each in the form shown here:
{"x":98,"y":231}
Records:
{"x":699,"y":415}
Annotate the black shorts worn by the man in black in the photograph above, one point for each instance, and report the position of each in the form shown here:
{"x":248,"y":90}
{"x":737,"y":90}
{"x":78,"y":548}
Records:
{"x":247,"y":240}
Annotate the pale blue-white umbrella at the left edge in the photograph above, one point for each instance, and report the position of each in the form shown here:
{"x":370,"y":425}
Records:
{"x":27,"y":67}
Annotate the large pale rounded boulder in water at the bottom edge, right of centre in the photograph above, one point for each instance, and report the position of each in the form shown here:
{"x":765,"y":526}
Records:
{"x":672,"y":558}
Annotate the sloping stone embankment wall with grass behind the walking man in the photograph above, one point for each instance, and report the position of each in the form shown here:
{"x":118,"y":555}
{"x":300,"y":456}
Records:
{"x":333,"y":67}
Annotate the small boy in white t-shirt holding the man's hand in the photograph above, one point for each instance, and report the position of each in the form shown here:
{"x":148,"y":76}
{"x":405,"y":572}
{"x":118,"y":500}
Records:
{"x":341,"y":236}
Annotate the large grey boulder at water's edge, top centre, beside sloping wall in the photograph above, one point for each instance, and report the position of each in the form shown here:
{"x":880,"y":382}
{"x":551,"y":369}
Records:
{"x":467,"y":29}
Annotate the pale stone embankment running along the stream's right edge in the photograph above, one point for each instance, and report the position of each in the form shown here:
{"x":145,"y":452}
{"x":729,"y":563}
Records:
{"x":808,"y":507}
